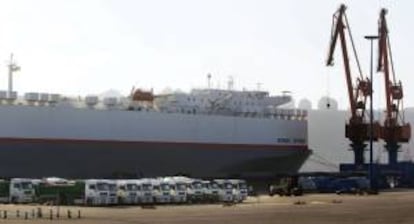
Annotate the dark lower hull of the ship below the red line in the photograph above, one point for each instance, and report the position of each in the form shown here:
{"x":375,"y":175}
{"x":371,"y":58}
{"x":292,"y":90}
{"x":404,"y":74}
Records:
{"x":95,"y":159}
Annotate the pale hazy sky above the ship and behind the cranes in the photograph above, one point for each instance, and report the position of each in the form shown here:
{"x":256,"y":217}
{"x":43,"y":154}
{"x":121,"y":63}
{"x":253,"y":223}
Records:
{"x":80,"y":47}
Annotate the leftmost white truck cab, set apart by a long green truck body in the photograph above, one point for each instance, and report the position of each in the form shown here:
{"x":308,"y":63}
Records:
{"x":21,"y":190}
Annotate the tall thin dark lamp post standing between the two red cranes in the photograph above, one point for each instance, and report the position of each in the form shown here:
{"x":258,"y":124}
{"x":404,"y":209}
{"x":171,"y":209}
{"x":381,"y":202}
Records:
{"x":371,"y":38}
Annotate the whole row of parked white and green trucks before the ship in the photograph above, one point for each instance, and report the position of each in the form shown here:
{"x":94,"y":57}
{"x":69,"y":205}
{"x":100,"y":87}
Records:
{"x":101,"y":192}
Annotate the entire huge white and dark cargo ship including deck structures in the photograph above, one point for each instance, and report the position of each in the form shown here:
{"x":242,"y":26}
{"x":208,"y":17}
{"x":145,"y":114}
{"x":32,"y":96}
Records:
{"x":203,"y":133}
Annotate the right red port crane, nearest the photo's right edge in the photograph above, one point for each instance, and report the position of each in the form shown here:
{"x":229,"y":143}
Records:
{"x":394,"y":129}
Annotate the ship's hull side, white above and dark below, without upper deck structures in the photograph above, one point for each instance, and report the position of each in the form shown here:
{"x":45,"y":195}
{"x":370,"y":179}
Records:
{"x":70,"y":142}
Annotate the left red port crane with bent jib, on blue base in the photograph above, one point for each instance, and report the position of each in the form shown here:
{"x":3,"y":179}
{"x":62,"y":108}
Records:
{"x":357,"y":129}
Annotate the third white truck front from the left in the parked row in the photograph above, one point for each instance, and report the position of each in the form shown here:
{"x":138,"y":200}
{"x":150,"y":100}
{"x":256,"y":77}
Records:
{"x":128,"y":192}
